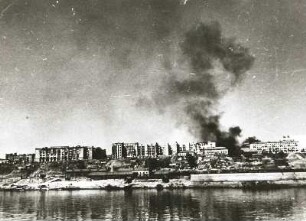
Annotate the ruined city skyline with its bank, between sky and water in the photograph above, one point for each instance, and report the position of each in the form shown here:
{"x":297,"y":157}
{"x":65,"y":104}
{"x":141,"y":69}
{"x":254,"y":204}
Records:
{"x":133,"y":165}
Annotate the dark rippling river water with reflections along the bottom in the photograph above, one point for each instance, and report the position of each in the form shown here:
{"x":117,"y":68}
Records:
{"x":209,"y":204}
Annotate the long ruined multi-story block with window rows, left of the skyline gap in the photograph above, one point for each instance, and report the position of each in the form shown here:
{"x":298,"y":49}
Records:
{"x":63,"y":153}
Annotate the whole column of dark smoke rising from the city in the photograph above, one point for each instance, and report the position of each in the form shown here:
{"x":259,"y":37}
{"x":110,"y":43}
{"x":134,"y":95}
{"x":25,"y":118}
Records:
{"x":198,"y":93}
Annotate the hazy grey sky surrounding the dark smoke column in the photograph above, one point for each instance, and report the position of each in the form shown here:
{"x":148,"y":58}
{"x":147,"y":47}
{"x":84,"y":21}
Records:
{"x":72,"y":71}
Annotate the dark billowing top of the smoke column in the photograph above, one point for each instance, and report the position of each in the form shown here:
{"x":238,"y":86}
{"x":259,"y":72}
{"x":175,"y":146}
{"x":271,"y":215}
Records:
{"x":205,"y":44}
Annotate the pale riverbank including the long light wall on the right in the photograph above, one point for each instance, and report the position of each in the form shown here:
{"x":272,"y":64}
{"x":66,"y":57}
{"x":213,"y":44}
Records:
{"x":222,"y":180}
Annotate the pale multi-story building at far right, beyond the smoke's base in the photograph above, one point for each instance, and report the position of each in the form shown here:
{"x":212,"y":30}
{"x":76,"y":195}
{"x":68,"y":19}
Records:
{"x":286,"y":145}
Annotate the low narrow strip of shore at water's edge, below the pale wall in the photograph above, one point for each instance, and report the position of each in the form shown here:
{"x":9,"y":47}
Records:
{"x":120,"y":184}
